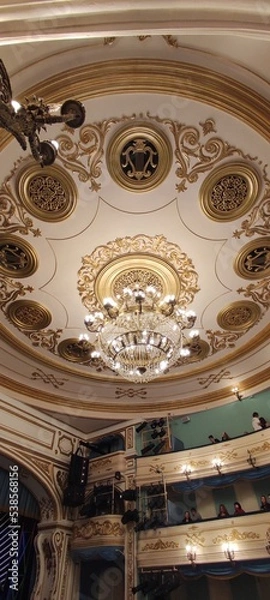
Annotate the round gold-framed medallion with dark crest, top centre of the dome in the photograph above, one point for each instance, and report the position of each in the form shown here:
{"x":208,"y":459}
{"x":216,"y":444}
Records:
{"x":139,"y":157}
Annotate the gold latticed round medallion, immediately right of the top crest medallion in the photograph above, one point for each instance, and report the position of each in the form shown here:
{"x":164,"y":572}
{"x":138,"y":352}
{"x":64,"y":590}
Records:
{"x":229,"y":191}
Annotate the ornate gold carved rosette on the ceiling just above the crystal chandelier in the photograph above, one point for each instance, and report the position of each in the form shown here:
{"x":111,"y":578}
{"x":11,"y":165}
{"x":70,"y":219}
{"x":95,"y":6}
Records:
{"x":156,"y":254}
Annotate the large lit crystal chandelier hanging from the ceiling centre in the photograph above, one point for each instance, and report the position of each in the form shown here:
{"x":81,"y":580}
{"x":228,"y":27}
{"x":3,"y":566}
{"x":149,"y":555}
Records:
{"x":140,"y":335}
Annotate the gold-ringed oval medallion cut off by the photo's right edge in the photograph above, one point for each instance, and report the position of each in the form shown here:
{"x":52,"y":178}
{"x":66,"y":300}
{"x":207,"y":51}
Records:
{"x":253,"y":262}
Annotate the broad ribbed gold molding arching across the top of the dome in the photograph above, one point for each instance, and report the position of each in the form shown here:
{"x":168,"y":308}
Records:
{"x":160,"y":77}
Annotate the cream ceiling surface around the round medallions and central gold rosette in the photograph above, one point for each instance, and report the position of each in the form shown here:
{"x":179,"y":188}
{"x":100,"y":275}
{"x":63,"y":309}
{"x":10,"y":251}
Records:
{"x":211,"y":87}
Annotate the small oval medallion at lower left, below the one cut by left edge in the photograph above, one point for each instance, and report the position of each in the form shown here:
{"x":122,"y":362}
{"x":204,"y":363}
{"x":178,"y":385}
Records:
{"x":29,"y":315}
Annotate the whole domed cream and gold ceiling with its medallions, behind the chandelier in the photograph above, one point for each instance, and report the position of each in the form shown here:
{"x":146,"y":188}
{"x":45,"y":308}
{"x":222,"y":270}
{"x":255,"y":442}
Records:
{"x":167,"y":183}
